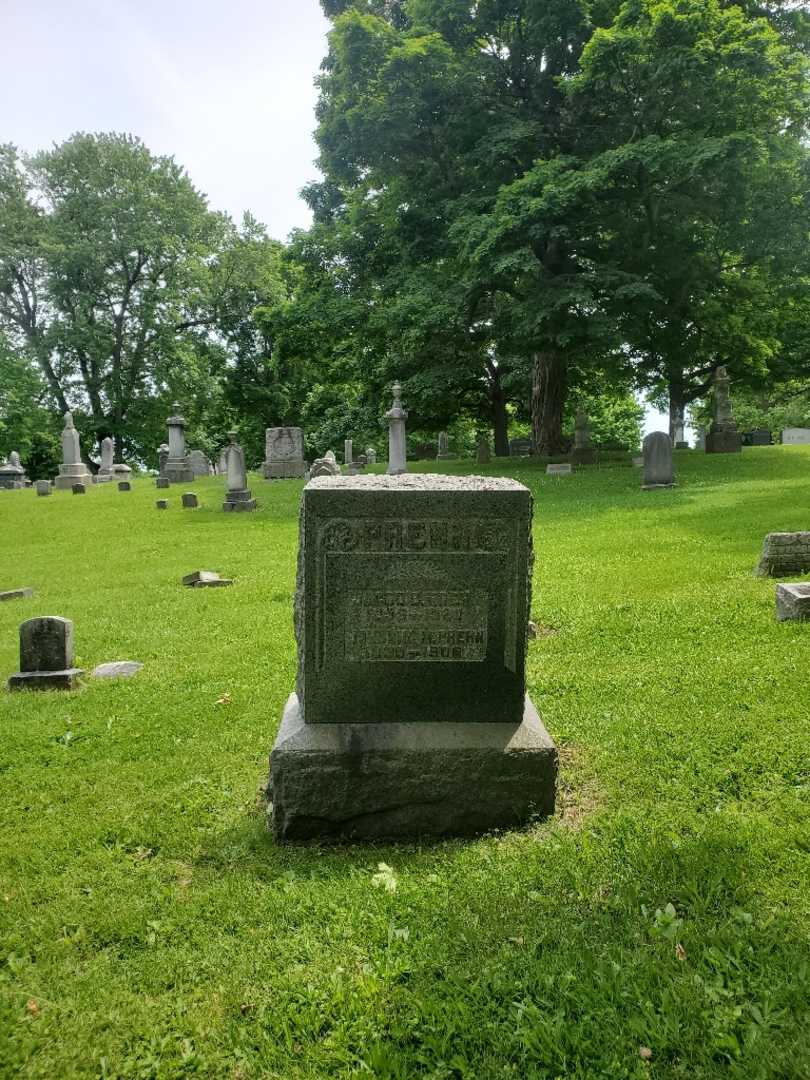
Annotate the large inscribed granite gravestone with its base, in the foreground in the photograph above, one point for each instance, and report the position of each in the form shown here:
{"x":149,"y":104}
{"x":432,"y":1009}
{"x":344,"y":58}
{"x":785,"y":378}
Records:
{"x":412,"y":615}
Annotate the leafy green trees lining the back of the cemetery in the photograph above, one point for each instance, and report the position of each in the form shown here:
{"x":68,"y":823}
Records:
{"x":523,"y":207}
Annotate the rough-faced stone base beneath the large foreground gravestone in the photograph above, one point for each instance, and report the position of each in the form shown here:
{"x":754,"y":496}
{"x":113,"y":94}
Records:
{"x":374,"y":781}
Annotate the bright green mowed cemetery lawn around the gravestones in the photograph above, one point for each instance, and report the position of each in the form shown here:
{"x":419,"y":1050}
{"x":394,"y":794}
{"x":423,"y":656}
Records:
{"x":656,"y":927}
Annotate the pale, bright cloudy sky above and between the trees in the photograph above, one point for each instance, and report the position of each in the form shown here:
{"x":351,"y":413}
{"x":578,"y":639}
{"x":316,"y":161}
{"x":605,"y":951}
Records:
{"x":225,"y":87}
